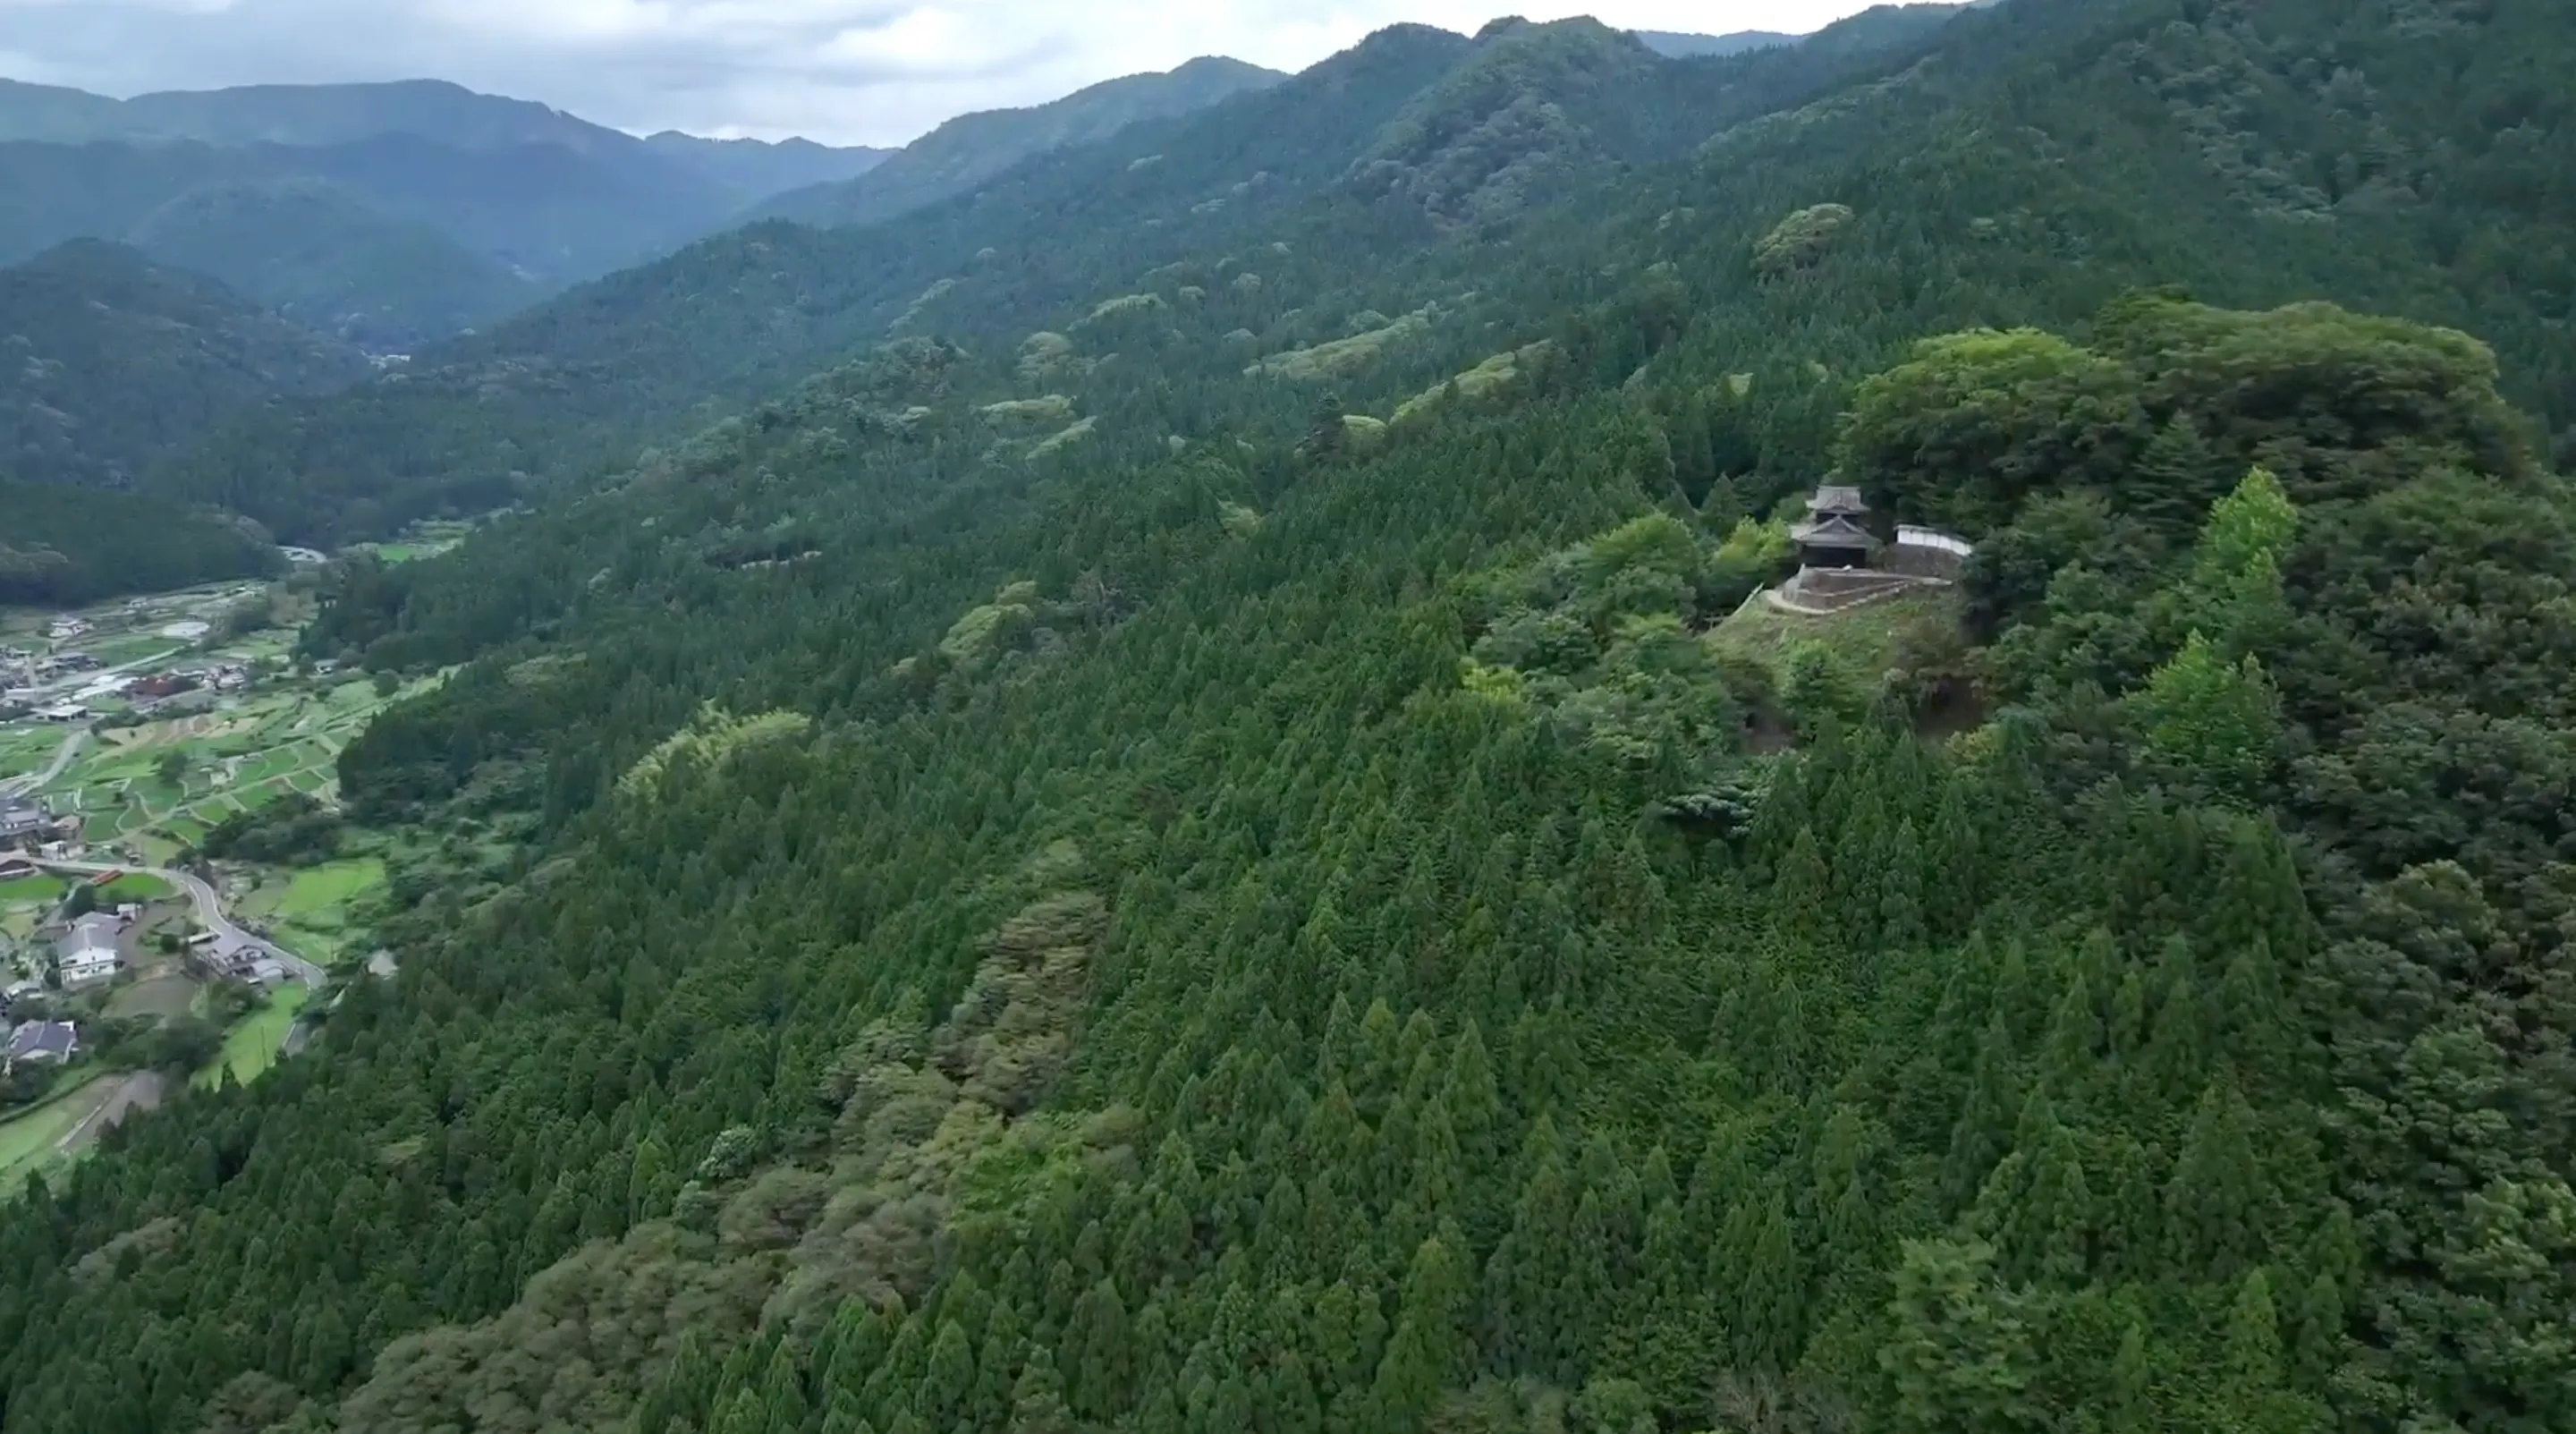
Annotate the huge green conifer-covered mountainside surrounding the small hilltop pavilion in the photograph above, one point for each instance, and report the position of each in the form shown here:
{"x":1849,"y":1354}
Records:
{"x":1176,"y":830}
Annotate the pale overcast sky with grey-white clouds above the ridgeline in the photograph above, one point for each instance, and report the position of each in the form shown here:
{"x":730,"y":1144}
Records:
{"x":838,"y":71}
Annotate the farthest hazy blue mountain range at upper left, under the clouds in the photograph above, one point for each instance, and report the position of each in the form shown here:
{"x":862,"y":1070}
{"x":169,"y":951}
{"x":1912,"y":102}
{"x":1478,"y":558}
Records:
{"x":388,"y":215}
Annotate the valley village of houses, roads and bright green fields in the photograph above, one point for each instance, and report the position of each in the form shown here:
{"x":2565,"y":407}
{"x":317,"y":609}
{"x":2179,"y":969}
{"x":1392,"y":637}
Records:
{"x":133,"y":962}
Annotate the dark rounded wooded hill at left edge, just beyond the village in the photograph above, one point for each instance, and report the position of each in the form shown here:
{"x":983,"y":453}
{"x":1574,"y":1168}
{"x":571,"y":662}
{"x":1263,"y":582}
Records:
{"x":115,"y":359}
